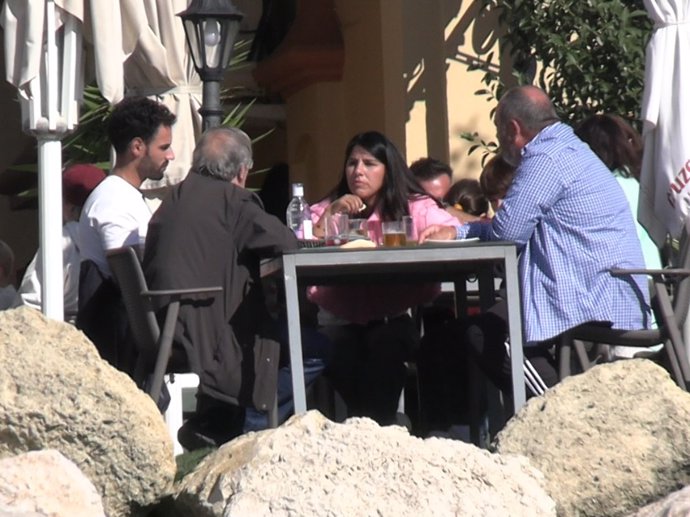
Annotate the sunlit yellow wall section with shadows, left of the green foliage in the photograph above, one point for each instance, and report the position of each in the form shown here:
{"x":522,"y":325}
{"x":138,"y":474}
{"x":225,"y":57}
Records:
{"x":442,"y":39}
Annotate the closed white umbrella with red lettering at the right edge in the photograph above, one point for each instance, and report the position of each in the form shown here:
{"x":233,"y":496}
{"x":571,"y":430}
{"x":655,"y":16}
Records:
{"x":665,"y":176}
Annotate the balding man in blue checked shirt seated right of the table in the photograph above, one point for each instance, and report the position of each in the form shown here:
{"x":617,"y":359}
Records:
{"x":572,"y":224}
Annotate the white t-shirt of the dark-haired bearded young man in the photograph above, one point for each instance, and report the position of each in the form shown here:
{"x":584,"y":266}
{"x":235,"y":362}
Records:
{"x":114,"y":215}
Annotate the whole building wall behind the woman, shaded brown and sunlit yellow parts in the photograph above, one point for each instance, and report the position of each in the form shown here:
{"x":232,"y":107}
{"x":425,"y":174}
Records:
{"x":405,"y":73}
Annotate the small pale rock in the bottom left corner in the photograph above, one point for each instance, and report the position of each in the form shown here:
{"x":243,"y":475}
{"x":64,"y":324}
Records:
{"x":45,"y":483}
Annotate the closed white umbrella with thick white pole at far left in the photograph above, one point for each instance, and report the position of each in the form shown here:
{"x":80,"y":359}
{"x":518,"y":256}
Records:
{"x":43,"y":60}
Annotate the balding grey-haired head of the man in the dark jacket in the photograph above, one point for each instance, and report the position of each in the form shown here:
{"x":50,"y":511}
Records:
{"x":223,"y":153}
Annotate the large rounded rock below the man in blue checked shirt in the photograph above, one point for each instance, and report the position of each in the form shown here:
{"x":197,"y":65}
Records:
{"x":608,"y":441}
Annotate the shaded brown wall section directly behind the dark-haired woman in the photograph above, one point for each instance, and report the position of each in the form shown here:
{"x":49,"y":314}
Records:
{"x":322,"y":118}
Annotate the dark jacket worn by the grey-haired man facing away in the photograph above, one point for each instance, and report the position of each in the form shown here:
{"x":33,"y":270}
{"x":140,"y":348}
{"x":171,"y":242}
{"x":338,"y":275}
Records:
{"x":209,"y":232}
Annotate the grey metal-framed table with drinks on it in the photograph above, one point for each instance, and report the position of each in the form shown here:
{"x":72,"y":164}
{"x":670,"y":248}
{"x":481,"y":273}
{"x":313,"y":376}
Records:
{"x":429,"y":262}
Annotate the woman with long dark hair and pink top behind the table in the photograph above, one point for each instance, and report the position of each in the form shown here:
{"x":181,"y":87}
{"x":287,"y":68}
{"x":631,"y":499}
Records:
{"x":369,"y":325}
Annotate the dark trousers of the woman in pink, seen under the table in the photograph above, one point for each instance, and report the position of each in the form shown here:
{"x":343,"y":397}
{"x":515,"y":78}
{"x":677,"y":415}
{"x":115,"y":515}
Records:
{"x":368,"y":365}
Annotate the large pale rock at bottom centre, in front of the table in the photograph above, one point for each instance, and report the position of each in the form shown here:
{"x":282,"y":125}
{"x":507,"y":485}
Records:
{"x":314,"y":467}
